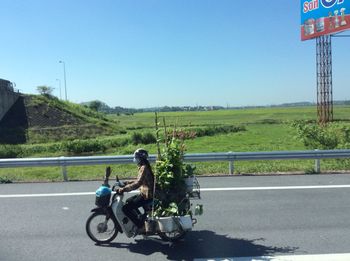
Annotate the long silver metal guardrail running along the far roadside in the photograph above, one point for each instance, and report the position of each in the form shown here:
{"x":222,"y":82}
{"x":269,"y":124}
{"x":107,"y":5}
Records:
{"x":199,"y":157}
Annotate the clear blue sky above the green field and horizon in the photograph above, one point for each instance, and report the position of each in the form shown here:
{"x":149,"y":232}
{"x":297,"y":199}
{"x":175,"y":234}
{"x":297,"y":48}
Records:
{"x":149,"y":53}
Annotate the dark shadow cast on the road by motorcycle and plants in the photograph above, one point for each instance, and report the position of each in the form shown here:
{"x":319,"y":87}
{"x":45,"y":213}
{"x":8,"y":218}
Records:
{"x":205,"y":244}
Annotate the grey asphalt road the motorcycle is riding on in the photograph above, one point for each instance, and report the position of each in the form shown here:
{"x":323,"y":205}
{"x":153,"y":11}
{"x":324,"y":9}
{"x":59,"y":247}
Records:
{"x":244,"y":216}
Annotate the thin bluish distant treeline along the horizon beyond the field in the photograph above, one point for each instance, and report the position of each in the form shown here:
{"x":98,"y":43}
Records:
{"x":103,"y":107}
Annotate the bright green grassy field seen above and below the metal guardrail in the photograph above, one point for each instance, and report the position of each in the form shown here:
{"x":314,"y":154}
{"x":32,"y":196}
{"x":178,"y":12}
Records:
{"x":266,"y":129}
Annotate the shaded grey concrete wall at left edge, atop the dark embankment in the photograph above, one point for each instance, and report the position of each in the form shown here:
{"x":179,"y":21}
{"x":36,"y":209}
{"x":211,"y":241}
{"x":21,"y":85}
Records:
{"x":7,"y":97}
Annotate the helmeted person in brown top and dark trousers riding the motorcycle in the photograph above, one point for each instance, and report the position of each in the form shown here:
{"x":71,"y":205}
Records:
{"x":144,"y":181}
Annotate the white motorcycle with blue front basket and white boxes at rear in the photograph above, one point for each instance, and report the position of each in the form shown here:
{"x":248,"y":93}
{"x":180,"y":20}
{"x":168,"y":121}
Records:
{"x":108,"y":218}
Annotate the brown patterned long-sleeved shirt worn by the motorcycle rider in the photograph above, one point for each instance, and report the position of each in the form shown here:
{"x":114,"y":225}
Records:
{"x":144,"y":181}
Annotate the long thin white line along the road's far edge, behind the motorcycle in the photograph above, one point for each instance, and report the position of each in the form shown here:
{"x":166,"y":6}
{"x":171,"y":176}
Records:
{"x":202,"y":190}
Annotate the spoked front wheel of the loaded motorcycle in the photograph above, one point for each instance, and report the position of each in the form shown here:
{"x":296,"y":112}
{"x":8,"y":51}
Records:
{"x":101,"y":228}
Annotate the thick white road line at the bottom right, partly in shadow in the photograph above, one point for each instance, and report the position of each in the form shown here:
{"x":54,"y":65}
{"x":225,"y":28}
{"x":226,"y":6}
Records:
{"x":326,"y":257}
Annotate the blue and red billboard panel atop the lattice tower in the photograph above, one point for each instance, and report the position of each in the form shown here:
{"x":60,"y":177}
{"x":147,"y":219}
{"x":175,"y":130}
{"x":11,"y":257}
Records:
{"x":323,"y":17}
